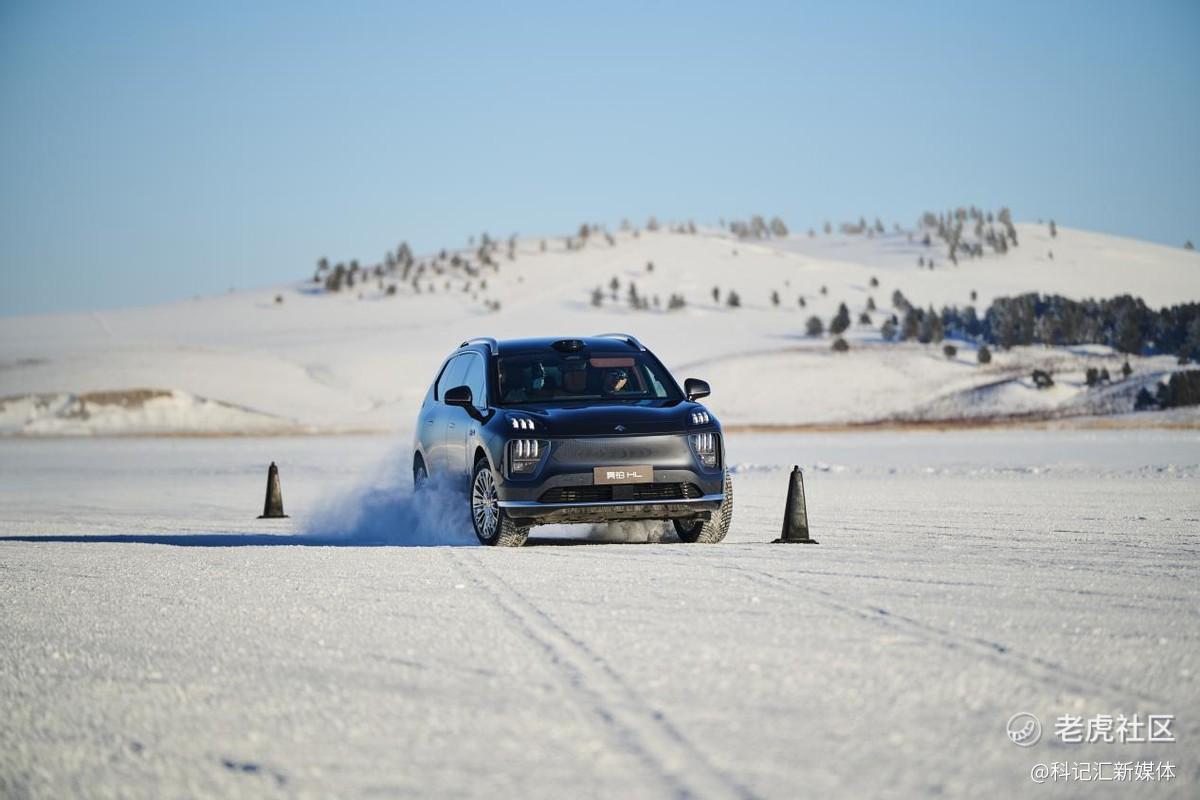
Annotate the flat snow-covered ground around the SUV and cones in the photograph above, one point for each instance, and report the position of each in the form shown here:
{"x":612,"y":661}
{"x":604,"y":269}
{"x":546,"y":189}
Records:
{"x":161,"y":642}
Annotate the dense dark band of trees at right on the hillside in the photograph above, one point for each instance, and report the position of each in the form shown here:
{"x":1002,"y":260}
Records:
{"x":1124,"y":323}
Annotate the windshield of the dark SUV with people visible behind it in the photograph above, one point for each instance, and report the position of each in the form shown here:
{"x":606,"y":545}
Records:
{"x":551,"y":376}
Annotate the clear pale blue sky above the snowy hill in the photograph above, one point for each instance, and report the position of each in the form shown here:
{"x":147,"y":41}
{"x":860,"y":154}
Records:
{"x":153,"y":152}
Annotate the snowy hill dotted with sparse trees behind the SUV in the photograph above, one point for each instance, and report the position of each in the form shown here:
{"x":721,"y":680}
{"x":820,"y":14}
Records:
{"x":297,"y":358}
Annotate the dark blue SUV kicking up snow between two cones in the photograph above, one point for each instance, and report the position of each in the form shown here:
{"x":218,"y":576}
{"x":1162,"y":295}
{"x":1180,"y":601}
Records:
{"x":573,"y":431}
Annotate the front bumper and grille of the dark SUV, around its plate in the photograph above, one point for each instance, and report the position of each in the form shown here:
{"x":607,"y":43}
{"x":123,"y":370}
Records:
{"x":563,"y":491}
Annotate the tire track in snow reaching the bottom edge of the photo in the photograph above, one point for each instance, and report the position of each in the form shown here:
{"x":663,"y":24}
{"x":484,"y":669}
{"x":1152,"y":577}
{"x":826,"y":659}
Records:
{"x":641,"y":730}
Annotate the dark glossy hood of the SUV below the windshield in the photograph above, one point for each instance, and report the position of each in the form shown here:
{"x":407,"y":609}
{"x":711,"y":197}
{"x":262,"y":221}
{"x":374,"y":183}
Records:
{"x":586,"y":419}
